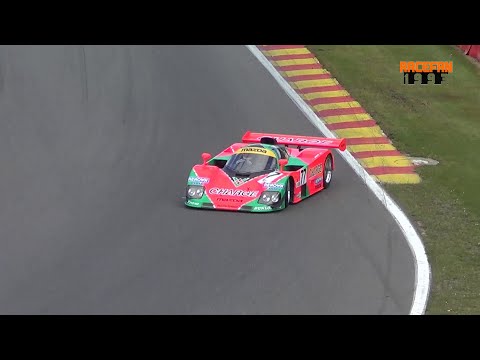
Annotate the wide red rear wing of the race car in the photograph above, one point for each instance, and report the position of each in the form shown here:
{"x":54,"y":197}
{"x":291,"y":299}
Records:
{"x":297,"y":140}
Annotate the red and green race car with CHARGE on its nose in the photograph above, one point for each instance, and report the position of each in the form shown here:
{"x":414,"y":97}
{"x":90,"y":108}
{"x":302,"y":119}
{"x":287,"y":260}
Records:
{"x":264,"y":173}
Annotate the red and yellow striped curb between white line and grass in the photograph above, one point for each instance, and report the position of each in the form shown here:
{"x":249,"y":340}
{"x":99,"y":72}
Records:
{"x":341,"y":113}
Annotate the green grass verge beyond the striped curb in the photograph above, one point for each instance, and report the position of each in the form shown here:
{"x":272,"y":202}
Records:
{"x":436,"y":121}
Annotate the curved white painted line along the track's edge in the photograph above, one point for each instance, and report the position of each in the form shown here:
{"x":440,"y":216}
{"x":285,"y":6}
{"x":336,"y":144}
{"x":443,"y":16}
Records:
{"x":422,"y":267}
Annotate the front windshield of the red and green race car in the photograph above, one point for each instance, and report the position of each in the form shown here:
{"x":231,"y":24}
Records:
{"x":248,"y":164}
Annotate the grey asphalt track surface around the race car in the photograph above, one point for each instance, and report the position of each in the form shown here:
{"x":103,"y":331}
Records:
{"x":95,"y":147}
